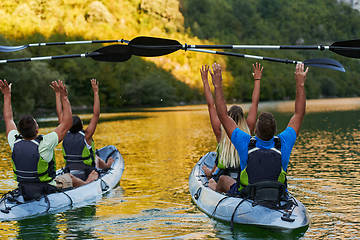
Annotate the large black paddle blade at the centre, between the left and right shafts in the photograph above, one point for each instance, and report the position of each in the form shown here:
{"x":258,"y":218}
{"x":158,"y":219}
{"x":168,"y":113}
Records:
{"x":153,"y":47}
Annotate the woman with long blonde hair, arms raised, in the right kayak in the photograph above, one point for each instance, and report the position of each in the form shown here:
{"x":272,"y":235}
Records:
{"x":227,"y":160}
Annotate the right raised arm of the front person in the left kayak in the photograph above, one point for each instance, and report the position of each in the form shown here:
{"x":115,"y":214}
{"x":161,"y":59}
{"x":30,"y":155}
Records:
{"x":90,"y":130}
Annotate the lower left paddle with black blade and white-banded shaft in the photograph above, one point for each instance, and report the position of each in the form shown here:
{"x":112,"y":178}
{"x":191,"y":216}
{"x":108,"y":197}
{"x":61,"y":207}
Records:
{"x":112,"y":53}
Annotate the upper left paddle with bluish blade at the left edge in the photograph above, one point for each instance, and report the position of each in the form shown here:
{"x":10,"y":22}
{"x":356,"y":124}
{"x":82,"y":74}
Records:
{"x":18,"y":48}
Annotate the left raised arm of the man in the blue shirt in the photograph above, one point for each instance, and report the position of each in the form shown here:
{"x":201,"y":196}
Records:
{"x":220,"y":103}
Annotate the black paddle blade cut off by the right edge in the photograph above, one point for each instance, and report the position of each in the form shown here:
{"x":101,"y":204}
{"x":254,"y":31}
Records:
{"x":349,"y":48}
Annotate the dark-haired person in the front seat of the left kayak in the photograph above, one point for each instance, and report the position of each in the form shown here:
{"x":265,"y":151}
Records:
{"x":78,"y":146}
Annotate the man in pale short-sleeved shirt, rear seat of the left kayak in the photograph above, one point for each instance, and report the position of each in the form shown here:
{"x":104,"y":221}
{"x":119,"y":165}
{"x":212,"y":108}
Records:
{"x":32,"y":154}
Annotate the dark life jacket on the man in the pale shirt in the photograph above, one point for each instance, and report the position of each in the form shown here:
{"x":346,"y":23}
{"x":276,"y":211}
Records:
{"x":28,"y":165}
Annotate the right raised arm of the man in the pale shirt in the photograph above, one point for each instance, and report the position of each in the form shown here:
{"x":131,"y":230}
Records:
{"x":66,"y":122}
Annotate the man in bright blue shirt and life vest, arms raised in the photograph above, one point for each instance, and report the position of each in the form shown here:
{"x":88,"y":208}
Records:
{"x":264,"y":159}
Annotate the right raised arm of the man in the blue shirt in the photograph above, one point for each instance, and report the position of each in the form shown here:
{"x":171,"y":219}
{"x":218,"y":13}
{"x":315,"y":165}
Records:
{"x":300,"y":99}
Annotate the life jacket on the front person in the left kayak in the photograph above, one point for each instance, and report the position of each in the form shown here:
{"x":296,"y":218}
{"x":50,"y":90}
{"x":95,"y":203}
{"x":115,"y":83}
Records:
{"x":76,"y":154}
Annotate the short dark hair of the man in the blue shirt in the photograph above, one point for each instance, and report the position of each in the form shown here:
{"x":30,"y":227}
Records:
{"x":266,"y":126}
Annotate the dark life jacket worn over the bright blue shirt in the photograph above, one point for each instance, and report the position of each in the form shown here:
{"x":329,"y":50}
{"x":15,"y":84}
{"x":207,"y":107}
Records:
{"x":262,"y":165}
